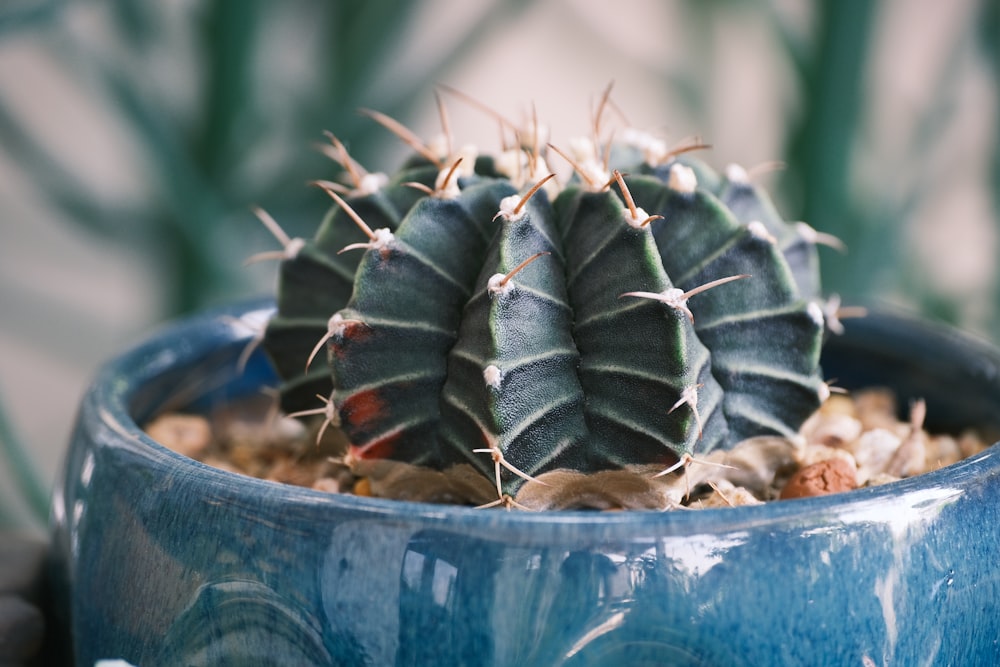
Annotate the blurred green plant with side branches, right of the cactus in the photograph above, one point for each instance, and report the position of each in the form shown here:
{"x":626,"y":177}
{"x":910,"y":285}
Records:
{"x":835,"y":77}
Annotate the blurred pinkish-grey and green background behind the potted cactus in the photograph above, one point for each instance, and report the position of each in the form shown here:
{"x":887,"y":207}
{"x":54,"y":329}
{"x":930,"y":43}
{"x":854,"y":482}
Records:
{"x":135,"y":136}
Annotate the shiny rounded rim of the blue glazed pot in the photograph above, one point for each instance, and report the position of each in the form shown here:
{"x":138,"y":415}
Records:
{"x":187,"y":341}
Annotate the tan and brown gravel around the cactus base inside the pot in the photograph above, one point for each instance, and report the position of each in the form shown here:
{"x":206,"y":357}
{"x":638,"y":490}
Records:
{"x":850,"y":442}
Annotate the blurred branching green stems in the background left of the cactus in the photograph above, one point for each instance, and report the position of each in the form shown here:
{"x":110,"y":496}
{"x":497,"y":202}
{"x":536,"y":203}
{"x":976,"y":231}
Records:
{"x":192,"y":163}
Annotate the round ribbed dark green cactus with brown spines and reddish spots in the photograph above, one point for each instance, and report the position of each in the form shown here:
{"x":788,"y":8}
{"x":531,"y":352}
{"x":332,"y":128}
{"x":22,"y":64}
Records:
{"x":488,"y":330}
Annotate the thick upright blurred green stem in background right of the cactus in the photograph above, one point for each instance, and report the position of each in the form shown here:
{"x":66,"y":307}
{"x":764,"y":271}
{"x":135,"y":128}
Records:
{"x":820,"y":151}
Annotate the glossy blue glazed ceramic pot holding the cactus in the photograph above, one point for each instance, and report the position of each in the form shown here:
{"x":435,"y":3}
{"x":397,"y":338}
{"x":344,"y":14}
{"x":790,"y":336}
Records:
{"x":160,"y":560}
